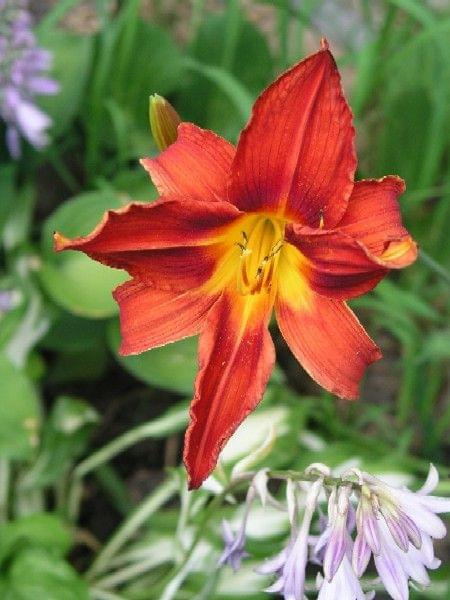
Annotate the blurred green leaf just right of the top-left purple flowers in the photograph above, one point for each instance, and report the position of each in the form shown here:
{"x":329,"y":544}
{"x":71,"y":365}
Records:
{"x":72,"y":59}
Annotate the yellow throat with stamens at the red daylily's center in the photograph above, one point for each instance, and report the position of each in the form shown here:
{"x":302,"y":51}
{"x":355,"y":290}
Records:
{"x":260,"y":245}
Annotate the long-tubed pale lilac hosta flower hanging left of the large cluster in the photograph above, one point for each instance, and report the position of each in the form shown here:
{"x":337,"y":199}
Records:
{"x":290,"y":564}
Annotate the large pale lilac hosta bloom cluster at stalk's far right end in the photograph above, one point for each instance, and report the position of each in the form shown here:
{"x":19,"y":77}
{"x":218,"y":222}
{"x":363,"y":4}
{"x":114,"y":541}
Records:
{"x":397,"y":526}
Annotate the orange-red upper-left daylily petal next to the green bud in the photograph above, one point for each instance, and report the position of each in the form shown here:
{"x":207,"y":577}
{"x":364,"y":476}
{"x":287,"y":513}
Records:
{"x":196,"y":166}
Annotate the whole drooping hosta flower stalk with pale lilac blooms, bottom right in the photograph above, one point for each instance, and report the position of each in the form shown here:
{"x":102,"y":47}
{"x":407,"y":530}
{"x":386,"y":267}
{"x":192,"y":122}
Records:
{"x":397,"y":526}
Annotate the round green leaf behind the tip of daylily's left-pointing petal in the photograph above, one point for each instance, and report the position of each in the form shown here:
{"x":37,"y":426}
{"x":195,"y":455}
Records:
{"x":75,"y":282}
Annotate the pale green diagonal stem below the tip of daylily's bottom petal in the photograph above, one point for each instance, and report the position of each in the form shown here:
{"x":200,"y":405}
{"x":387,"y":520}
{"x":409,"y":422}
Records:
{"x":128,"y":528}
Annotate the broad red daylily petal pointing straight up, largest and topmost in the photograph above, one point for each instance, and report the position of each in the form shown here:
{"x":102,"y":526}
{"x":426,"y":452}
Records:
{"x":296,"y":155}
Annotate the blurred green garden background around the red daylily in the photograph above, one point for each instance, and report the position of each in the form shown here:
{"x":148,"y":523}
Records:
{"x":92,"y":498}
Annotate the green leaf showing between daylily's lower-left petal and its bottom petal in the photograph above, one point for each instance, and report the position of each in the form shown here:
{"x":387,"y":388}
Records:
{"x":172,"y":367}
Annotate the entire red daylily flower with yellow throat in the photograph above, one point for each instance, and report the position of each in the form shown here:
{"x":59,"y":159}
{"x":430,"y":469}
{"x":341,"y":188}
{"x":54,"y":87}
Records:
{"x":276,"y":223}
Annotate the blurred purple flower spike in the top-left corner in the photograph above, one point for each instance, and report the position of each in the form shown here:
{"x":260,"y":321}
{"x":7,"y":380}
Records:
{"x":22,"y":64}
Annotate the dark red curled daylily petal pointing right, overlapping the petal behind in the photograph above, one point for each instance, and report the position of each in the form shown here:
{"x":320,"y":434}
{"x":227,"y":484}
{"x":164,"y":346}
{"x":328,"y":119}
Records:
{"x":336,"y":265}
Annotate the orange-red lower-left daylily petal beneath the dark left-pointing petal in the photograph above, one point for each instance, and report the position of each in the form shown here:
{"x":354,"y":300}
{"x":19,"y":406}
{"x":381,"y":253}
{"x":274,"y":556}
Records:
{"x":151,"y":318}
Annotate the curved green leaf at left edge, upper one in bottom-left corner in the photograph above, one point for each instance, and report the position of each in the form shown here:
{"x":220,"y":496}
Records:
{"x":38,"y":529}
